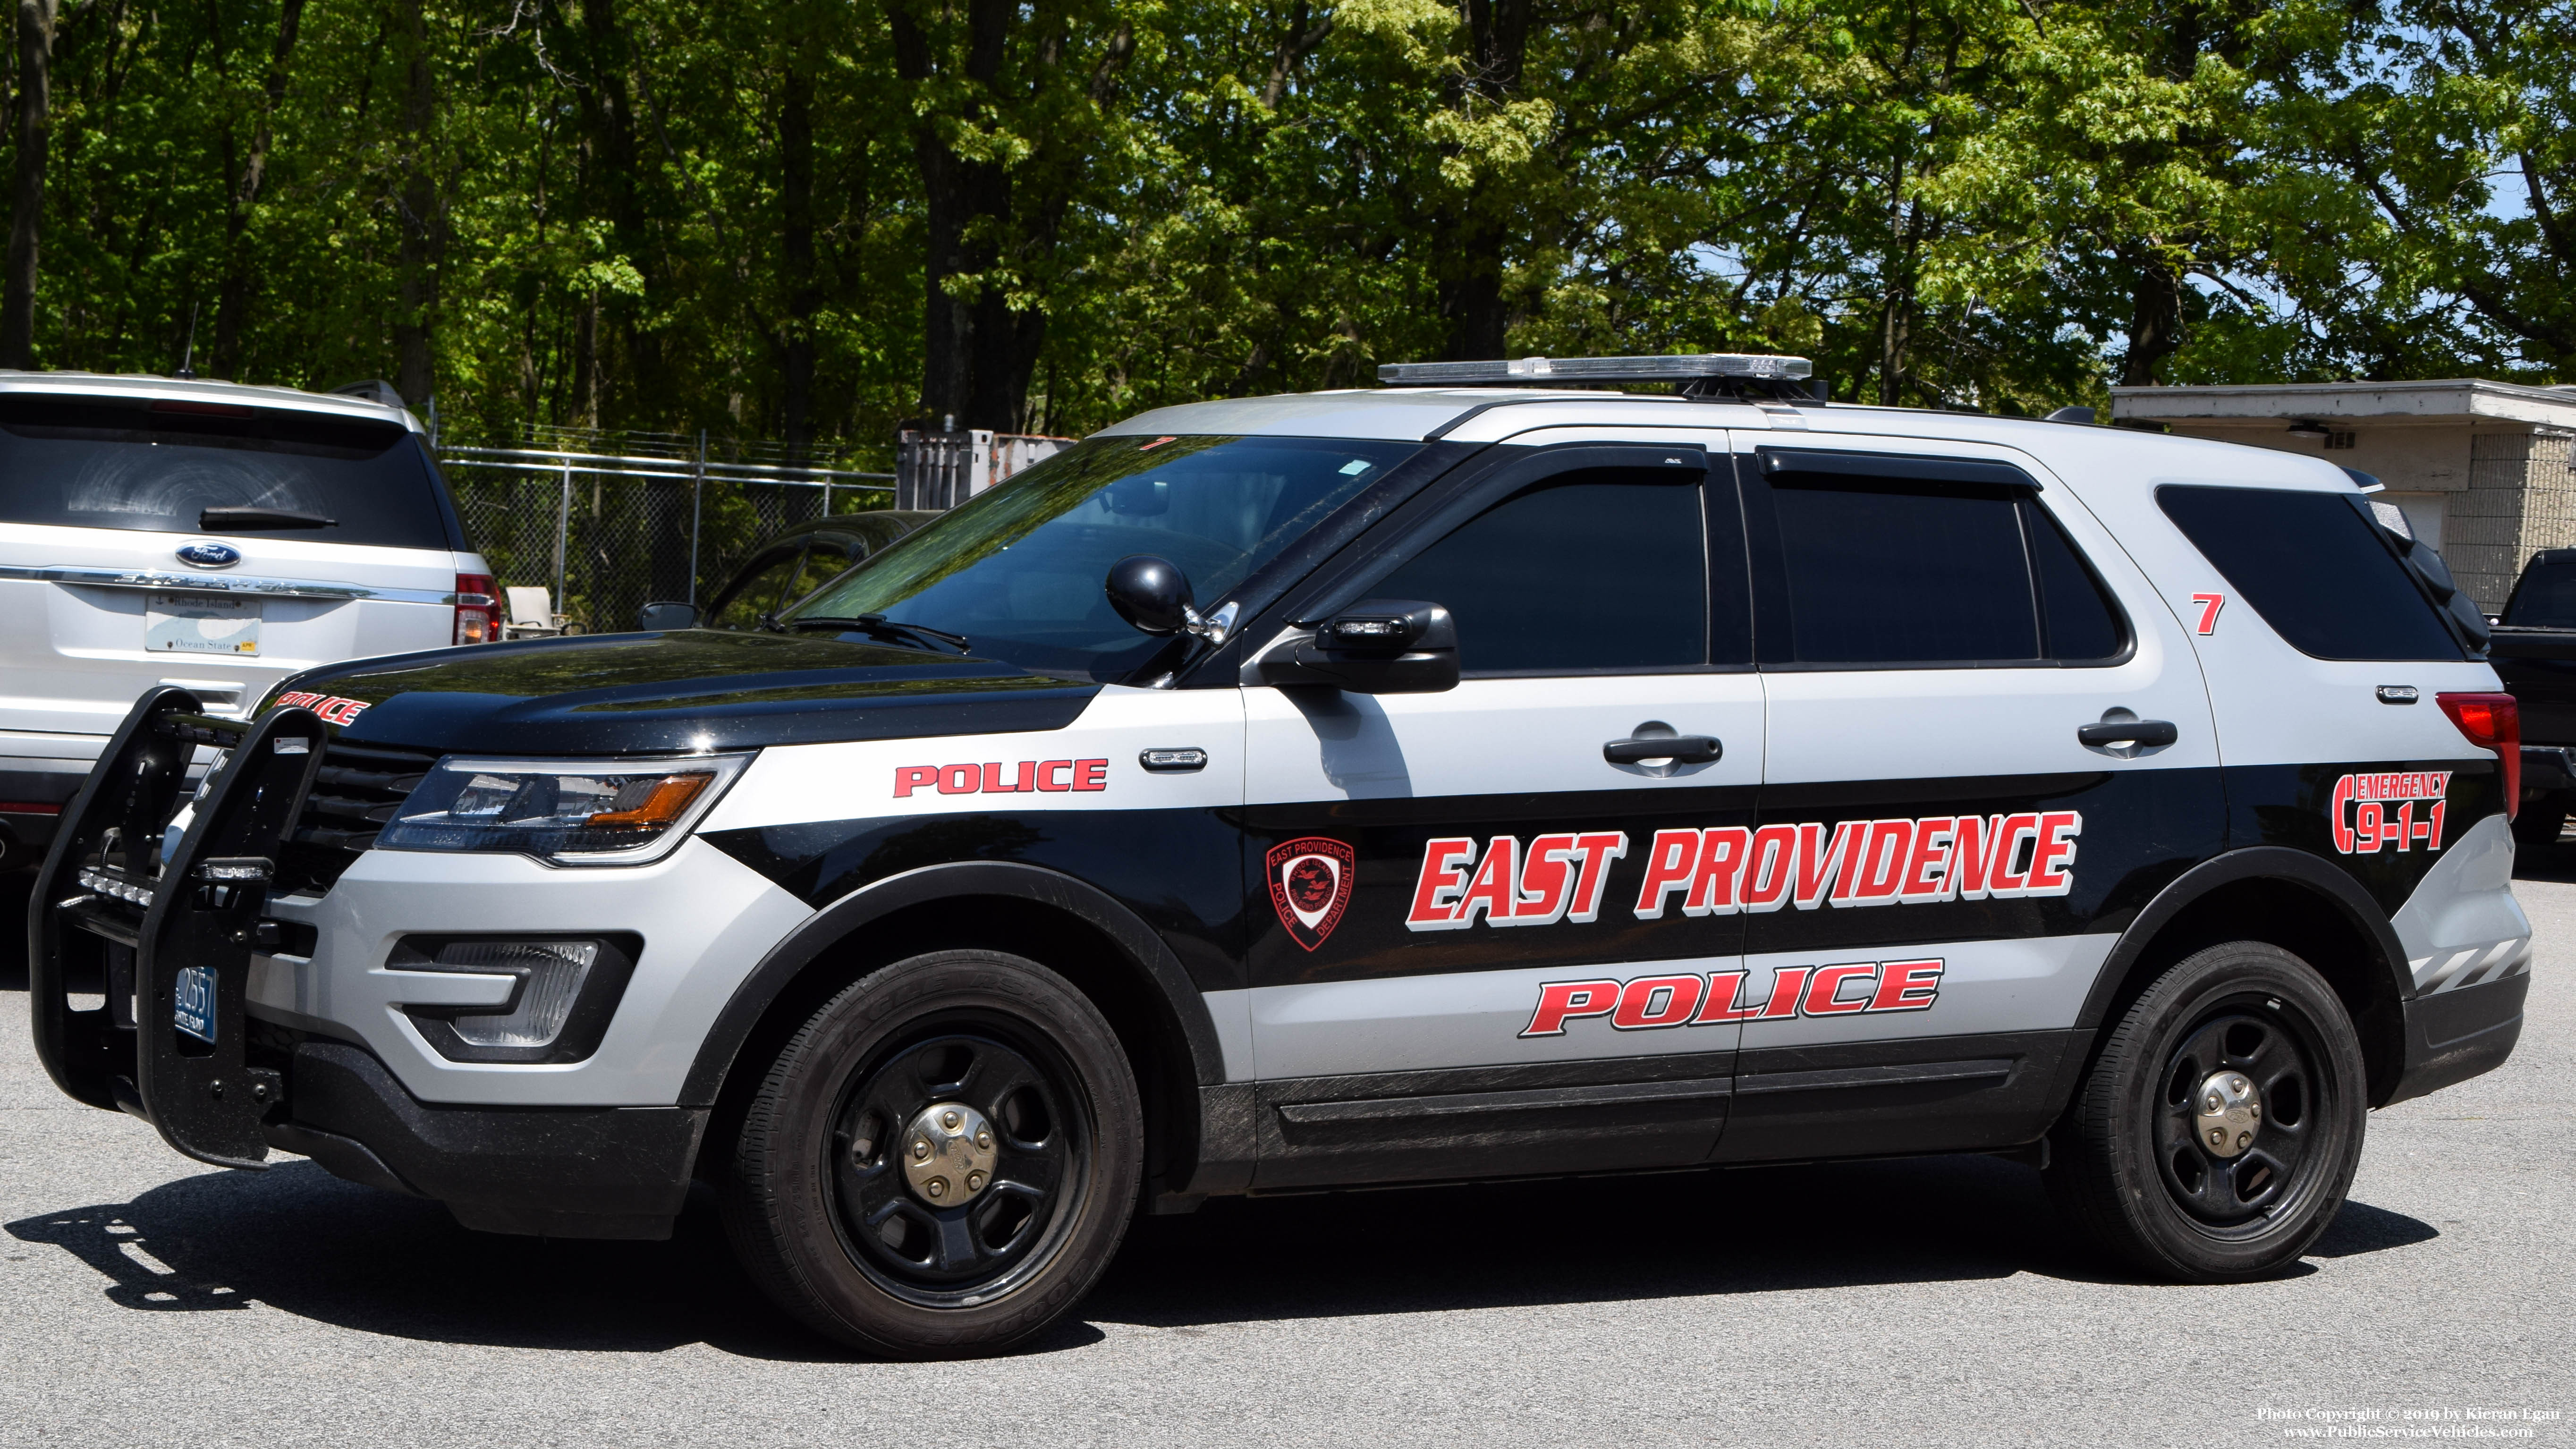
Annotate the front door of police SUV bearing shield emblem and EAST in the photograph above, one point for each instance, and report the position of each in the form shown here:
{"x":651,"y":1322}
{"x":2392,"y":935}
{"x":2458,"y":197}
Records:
{"x":1457,"y":958}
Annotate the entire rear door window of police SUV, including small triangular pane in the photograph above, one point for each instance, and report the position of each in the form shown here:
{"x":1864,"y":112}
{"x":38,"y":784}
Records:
{"x":1892,"y":571}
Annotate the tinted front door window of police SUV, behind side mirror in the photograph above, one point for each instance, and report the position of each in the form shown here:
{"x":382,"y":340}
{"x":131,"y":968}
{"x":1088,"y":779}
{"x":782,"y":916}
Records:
{"x":1591,"y":571}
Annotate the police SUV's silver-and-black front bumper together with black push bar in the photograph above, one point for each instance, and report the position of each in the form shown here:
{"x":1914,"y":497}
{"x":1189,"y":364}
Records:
{"x":218,"y":991}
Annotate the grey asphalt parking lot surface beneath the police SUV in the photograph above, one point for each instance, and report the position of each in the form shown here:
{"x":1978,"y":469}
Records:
{"x":146,"y":1298}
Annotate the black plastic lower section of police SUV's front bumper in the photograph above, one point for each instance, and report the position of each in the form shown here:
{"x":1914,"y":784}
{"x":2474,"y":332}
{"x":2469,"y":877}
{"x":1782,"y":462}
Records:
{"x":571,"y":1172}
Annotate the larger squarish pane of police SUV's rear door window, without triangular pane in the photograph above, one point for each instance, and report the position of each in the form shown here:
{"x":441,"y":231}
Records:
{"x":1902,"y":574}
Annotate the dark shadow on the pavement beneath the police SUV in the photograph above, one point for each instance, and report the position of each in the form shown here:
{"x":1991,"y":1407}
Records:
{"x":300,"y":1241}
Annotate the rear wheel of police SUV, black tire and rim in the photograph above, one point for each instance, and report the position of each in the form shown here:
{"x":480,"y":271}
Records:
{"x":2132,"y":1164}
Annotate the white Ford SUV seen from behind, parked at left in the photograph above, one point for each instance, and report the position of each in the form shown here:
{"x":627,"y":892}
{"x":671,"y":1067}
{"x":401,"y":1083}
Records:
{"x":213,"y":538}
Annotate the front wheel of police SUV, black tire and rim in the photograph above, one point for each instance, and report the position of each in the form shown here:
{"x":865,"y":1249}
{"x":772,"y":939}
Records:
{"x":831,"y":1198}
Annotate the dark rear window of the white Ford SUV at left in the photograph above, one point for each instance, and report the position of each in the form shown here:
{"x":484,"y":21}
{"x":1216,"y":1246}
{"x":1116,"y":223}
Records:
{"x":205,"y":468}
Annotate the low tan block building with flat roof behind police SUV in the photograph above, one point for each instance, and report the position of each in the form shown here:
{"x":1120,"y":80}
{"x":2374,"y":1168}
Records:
{"x":2479,"y":468}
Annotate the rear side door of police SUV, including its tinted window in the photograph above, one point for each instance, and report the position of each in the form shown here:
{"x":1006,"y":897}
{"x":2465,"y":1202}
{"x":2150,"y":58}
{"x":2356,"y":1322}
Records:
{"x":1990,"y":746}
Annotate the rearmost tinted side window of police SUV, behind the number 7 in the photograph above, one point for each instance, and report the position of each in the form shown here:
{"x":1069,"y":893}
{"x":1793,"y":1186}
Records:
{"x":2315,"y":569}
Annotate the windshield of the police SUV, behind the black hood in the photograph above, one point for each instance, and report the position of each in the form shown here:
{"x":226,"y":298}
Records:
{"x":1019,"y":569}
